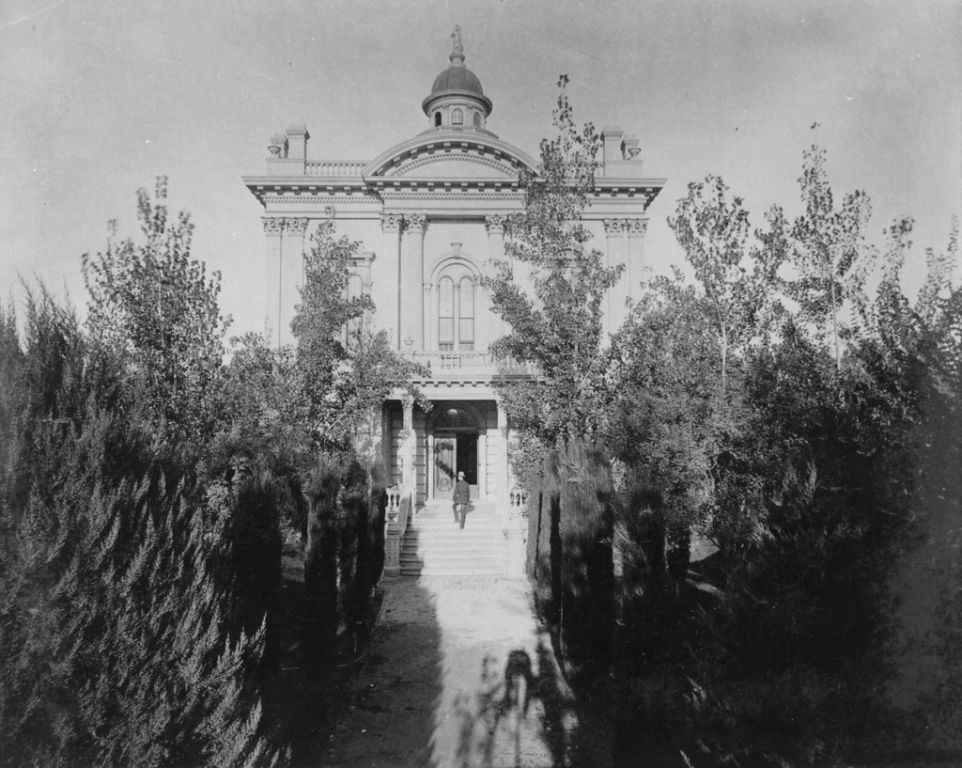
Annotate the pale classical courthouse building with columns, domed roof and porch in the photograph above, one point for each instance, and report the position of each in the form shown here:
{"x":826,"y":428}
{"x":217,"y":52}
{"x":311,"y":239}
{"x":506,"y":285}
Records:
{"x":430,"y":213}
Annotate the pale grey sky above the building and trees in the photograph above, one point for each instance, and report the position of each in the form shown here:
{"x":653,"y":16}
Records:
{"x":98,"y":97}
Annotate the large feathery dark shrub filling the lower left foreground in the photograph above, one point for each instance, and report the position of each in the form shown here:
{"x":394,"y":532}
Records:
{"x":111,"y":617}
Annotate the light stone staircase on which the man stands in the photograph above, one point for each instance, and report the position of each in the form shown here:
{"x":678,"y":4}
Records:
{"x":434,"y":545}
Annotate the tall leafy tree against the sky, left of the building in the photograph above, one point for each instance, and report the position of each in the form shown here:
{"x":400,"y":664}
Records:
{"x":156,"y":305}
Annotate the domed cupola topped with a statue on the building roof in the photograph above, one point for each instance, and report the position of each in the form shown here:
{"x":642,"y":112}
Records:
{"x":457,"y":101}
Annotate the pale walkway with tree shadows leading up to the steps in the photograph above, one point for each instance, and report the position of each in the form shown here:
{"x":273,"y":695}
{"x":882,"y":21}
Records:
{"x":431,"y":690}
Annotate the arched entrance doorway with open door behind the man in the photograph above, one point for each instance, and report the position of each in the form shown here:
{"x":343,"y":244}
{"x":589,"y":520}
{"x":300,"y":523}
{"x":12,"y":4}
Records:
{"x":453,"y":430}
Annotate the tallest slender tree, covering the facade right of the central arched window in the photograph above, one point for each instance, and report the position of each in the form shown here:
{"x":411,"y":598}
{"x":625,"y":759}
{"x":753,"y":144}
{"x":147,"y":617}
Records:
{"x":555,"y":312}
